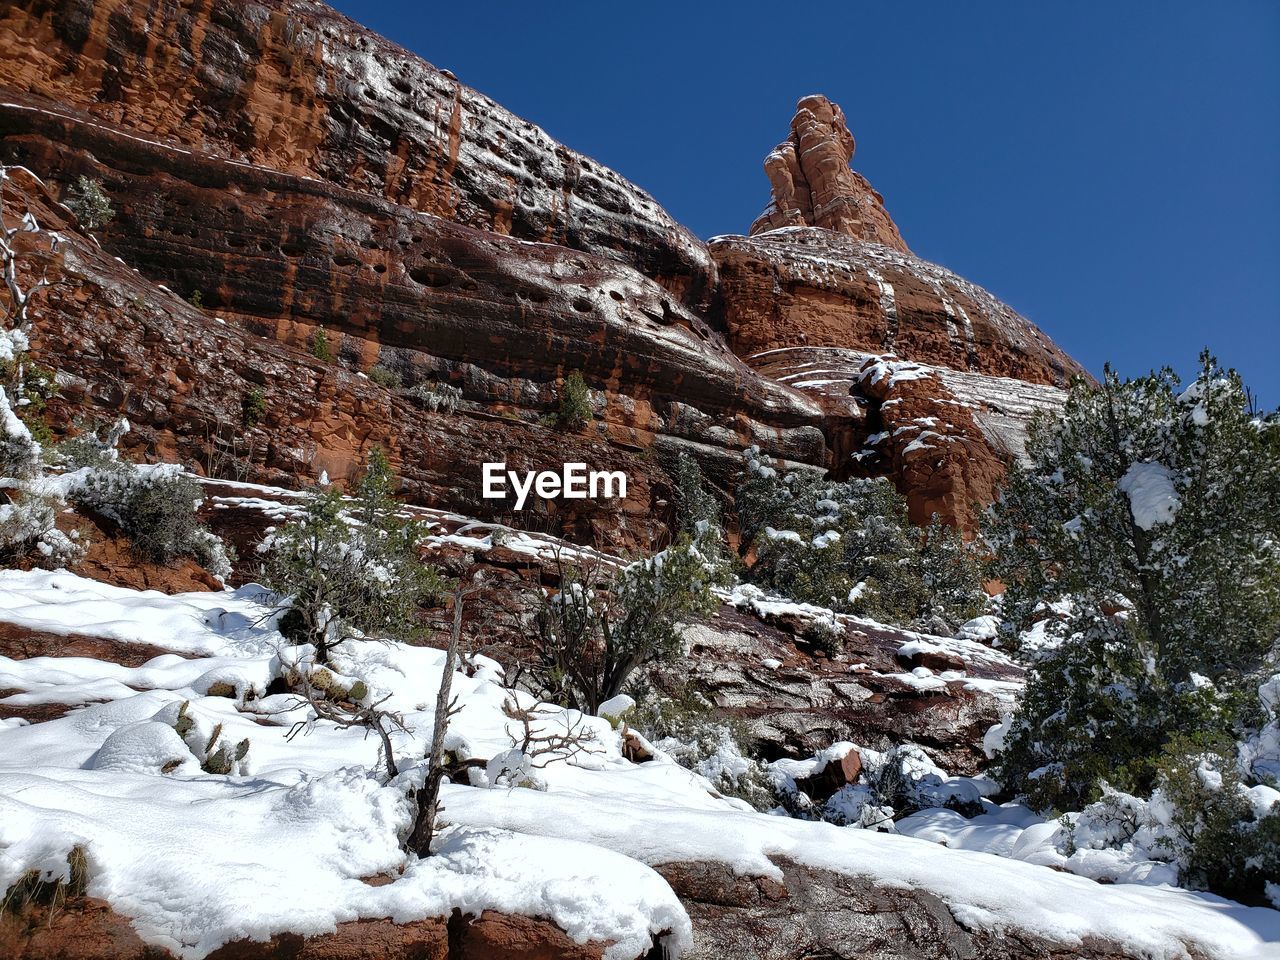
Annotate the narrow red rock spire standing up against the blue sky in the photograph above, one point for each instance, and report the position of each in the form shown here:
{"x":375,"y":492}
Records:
{"x":813,"y":185}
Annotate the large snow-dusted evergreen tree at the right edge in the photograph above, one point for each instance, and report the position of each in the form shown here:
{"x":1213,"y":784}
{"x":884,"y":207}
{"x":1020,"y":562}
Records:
{"x":1141,"y":550}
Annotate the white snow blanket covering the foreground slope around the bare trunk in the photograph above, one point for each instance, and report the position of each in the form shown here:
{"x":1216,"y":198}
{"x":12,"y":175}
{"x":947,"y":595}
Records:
{"x":199,"y":860}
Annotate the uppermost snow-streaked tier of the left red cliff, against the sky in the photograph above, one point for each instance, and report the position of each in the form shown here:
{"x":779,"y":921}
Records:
{"x":294,"y":86}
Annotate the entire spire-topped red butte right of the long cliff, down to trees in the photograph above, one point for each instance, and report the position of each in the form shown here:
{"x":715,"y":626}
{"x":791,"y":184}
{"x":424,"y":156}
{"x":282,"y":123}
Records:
{"x":825,"y":286}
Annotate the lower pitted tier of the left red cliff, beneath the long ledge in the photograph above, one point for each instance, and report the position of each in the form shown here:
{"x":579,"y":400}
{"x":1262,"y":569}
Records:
{"x":500,"y":321}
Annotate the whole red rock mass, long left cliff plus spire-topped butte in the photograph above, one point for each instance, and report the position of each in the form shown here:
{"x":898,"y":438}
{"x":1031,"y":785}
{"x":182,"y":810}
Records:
{"x":301,"y":175}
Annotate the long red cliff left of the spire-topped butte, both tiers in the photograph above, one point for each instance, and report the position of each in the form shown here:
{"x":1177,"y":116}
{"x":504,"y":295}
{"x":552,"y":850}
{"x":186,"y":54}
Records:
{"x":304,"y":175}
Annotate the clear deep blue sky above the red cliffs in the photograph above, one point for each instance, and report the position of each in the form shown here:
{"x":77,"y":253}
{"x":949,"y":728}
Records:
{"x":1110,"y":170}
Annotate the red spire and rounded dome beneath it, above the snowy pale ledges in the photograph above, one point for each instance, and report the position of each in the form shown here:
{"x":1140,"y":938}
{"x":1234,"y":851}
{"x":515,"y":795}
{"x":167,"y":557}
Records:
{"x":826,"y":267}
